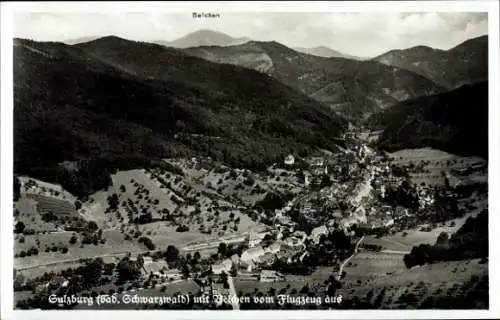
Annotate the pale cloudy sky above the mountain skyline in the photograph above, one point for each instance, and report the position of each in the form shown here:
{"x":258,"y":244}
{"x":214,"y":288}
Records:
{"x":364,"y":34}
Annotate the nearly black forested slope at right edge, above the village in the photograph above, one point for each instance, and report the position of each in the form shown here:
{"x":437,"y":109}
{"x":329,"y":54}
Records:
{"x":455,"y":121}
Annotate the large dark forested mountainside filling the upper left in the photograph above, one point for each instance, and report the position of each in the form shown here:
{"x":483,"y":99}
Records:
{"x":81,"y":114}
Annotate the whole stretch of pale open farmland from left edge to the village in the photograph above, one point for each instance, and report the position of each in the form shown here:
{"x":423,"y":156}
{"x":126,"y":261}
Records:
{"x":53,"y":247}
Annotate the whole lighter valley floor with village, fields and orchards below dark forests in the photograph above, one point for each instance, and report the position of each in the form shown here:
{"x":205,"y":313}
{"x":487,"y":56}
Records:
{"x":204,"y":208}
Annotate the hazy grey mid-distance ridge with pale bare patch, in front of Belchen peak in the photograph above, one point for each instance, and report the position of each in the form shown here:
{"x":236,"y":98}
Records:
{"x":354,"y":89}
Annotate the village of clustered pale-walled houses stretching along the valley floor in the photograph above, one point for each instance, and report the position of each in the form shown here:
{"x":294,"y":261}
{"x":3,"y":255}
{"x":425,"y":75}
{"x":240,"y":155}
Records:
{"x":342,"y":198}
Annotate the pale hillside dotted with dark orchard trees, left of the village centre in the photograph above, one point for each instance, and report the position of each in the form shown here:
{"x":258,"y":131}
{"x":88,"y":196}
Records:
{"x":174,"y":202}
